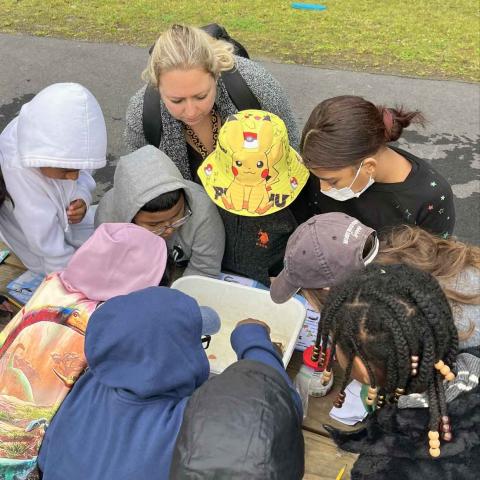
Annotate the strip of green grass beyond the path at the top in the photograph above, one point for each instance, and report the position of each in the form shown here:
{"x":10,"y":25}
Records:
{"x":435,"y":38}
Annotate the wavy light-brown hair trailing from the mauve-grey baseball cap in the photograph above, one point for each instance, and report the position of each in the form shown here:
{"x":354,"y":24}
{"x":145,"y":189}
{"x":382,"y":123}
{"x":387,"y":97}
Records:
{"x":442,"y":258}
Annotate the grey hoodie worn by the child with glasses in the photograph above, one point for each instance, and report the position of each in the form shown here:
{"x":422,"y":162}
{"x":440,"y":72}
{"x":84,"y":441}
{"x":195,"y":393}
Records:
{"x":144,"y":175}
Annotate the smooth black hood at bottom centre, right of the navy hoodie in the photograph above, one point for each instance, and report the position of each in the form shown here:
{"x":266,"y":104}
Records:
{"x":242,"y":424}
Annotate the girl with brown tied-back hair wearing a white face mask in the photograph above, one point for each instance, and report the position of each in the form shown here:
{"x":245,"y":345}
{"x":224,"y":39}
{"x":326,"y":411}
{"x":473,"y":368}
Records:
{"x":346,"y":145}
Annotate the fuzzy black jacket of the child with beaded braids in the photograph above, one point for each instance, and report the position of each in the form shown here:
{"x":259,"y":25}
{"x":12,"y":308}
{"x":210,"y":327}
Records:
{"x":394,"y":443}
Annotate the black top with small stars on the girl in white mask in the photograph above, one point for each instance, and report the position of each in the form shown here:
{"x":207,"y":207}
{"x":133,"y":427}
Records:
{"x":424,"y":199}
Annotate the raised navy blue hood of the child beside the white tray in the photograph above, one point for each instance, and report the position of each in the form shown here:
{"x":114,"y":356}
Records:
{"x":148,"y":344}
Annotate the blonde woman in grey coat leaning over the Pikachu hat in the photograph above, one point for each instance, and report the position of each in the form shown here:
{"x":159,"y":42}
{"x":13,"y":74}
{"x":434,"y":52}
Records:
{"x":185,"y":66}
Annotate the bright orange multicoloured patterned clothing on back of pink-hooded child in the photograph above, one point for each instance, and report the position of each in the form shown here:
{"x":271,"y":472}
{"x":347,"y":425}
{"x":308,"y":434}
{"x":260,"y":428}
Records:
{"x":41,"y":357}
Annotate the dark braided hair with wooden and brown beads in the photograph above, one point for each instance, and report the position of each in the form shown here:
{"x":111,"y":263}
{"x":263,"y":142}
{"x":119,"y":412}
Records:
{"x":396,"y":319}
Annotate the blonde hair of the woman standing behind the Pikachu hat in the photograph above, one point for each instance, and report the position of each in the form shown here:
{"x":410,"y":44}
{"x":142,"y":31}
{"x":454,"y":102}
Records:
{"x":183,"y":47}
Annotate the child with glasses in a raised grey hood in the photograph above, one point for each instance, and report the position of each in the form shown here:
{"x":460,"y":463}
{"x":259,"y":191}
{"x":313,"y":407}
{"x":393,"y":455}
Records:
{"x":150,"y":191}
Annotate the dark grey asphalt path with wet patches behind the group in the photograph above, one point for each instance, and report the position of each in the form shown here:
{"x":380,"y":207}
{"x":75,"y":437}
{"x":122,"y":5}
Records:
{"x":450,"y":139}
